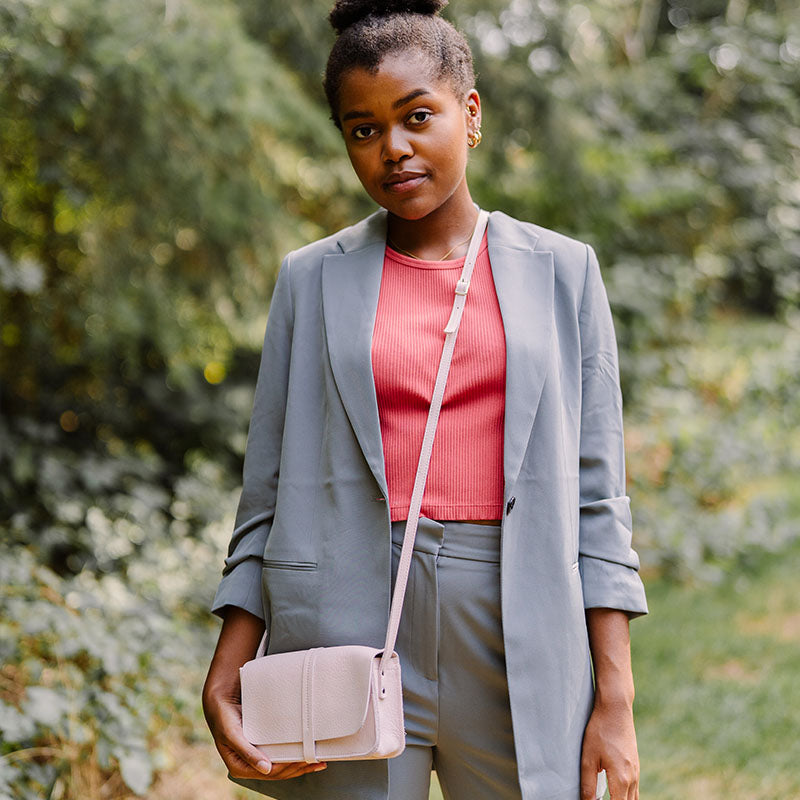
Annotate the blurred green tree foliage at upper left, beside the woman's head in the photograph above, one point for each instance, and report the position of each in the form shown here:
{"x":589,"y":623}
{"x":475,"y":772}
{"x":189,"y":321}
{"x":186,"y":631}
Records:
{"x":153,"y":173}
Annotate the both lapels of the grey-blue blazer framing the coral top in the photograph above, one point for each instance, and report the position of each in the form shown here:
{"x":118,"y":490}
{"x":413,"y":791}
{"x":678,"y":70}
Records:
{"x":524,"y":282}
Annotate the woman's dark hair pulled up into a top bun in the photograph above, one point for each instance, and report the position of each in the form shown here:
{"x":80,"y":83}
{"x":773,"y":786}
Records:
{"x":368,"y":30}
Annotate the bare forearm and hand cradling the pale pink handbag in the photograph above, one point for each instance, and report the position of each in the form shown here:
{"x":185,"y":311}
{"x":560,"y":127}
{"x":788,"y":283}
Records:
{"x":238,"y":641}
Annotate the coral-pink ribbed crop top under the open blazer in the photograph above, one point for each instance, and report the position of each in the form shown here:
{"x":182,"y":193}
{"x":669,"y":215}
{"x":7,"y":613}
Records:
{"x":465,"y":479}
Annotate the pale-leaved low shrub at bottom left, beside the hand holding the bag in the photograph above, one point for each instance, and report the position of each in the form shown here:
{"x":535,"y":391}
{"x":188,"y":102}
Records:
{"x":92,"y":673}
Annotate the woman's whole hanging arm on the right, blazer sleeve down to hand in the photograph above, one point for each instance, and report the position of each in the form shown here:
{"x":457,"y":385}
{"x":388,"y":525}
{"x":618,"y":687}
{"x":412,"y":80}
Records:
{"x":612,"y":590}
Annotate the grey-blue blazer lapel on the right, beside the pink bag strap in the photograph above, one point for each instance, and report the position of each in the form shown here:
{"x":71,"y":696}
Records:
{"x":524,"y":283}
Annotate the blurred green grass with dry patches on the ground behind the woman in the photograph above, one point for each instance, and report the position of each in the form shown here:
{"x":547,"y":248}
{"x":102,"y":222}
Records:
{"x":718,"y":695}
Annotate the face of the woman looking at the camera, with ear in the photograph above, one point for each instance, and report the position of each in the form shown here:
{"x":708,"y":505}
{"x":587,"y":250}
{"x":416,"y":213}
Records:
{"x":406,"y":133}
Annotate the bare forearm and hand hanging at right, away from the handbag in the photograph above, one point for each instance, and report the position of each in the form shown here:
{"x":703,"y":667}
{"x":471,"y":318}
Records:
{"x":609,"y":741}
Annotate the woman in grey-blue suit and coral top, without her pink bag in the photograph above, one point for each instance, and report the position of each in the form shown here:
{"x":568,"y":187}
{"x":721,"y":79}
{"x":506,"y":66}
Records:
{"x":526,"y":489}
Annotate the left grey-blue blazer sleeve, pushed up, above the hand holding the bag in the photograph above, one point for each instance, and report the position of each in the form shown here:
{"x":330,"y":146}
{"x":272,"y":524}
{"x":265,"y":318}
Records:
{"x":241,"y":577}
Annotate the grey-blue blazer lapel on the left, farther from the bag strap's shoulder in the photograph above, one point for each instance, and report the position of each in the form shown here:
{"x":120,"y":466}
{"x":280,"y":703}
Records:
{"x":351,"y":282}
